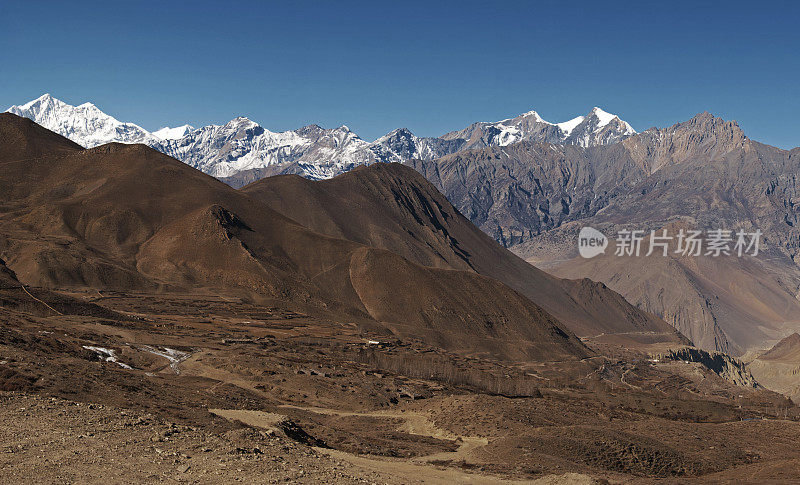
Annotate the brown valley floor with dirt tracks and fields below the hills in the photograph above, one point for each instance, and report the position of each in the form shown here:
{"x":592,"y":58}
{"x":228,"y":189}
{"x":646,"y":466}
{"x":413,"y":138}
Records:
{"x":220,"y":390}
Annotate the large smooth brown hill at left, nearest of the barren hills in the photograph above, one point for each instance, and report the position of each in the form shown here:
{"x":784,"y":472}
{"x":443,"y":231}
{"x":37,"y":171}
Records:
{"x":130,"y":218}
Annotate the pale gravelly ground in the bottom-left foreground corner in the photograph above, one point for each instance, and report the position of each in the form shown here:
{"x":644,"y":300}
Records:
{"x":50,"y":440}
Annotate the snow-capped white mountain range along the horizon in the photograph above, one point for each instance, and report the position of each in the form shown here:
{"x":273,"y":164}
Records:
{"x":241,"y":150}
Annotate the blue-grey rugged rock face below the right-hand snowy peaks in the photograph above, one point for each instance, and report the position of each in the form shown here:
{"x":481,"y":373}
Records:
{"x":516,"y":192}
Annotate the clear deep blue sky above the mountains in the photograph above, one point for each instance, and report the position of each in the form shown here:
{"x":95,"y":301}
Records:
{"x":429,"y":66}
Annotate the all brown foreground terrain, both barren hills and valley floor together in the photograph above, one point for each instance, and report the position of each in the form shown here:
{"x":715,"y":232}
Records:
{"x":360,"y":330}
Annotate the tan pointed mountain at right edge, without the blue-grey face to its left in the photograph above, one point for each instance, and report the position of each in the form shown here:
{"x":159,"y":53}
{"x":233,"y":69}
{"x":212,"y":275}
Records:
{"x":703,"y":174}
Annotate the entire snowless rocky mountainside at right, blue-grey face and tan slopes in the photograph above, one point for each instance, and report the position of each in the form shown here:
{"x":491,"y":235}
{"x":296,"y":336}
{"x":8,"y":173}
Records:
{"x":703,"y":173}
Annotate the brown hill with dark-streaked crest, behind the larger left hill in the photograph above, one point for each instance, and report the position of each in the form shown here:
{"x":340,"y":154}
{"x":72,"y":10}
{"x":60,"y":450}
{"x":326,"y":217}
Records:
{"x":393,"y":207}
